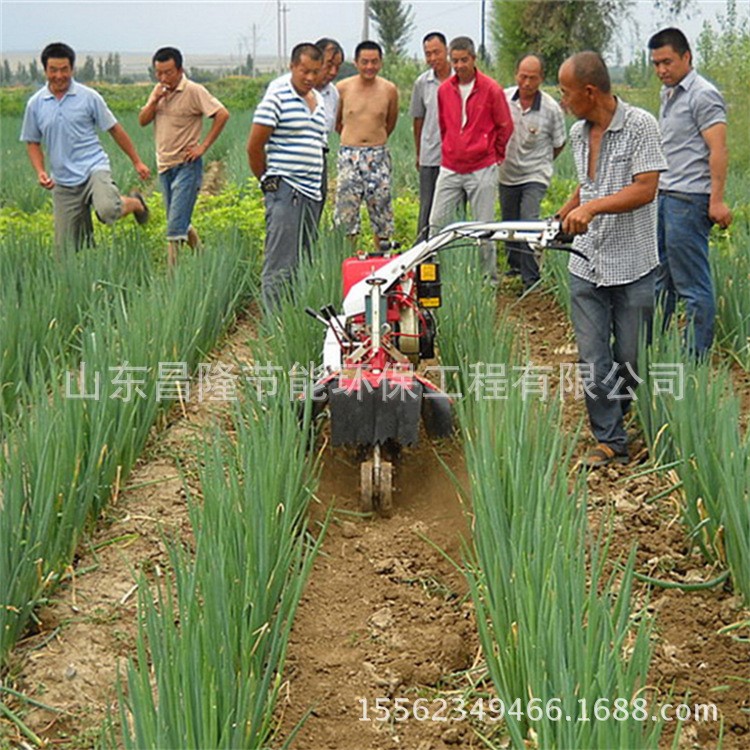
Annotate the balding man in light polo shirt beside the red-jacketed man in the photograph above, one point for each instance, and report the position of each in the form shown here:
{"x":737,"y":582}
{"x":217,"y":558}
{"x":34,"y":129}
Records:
{"x":537,"y":140}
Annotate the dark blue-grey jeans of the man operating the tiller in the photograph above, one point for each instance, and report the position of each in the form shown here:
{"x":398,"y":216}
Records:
{"x":608,"y":322}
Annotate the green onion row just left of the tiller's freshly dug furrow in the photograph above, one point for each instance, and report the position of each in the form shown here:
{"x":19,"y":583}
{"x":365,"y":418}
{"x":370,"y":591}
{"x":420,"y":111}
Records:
{"x":212,"y":645}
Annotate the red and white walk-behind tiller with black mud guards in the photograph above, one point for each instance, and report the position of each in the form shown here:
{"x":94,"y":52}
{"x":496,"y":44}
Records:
{"x":372,"y":349}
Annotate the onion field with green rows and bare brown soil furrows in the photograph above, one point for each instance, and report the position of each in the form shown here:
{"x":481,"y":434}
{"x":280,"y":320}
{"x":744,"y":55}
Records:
{"x":182,"y":567}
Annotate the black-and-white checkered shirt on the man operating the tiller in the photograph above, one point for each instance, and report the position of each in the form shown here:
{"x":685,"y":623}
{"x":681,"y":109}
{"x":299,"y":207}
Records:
{"x":620,"y":248}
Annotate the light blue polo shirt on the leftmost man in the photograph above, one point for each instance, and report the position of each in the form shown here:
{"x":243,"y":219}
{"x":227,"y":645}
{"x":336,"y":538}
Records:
{"x":68,"y":130}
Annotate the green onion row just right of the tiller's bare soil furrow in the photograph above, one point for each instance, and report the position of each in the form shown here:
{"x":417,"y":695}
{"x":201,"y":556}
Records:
{"x":554,"y":624}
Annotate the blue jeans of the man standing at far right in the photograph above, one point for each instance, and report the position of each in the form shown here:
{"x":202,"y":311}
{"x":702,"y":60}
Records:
{"x":684,"y":269}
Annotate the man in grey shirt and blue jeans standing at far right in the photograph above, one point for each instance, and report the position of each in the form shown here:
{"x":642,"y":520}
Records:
{"x":693,"y":121}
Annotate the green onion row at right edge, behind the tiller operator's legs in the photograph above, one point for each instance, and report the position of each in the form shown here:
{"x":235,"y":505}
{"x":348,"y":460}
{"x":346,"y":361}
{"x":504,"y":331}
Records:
{"x":714,"y":475}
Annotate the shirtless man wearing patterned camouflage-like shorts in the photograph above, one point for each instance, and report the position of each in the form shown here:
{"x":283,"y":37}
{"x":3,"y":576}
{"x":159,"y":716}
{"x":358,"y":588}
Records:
{"x":368,"y":108}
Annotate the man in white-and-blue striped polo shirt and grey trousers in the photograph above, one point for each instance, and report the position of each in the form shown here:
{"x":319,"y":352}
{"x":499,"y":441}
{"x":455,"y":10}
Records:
{"x":285,"y":150}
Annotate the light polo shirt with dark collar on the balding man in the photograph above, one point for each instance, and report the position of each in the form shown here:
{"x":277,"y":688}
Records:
{"x":537,"y":132}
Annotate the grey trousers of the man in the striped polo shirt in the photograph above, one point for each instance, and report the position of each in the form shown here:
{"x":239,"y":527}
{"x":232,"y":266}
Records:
{"x":291,"y":227}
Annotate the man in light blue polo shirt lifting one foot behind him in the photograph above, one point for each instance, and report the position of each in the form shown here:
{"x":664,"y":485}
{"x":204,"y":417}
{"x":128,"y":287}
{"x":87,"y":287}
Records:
{"x":64,"y":117}
